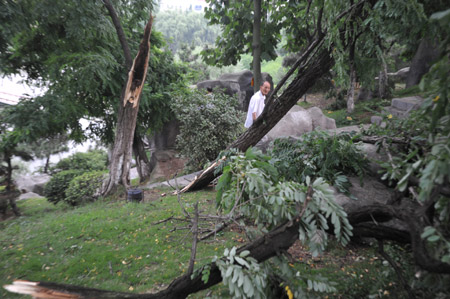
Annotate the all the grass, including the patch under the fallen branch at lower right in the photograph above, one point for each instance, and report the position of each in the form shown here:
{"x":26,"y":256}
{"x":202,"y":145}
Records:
{"x":116,"y":245}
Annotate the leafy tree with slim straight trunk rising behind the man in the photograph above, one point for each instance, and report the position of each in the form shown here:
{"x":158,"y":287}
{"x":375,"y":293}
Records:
{"x":246,"y":28}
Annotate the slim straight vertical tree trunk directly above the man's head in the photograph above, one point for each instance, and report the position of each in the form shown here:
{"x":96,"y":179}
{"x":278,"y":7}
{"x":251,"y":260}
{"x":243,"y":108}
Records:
{"x":256,"y":45}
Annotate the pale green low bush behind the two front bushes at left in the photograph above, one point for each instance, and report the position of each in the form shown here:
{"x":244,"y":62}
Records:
{"x":89,"y":161}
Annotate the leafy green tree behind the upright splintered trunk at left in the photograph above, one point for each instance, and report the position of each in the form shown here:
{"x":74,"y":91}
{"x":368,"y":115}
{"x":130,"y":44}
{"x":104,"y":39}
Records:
{"x":77,"y":57}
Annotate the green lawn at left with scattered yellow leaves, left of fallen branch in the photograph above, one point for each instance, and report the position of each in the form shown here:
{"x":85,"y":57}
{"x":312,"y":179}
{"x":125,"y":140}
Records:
{"x":107,"y":245}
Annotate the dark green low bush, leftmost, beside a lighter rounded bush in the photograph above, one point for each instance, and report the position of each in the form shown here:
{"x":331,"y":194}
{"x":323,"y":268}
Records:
{"x":55,"y":189}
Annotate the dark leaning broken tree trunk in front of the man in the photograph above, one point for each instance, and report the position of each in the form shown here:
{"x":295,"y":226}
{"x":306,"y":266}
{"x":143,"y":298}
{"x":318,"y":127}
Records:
{"x":274,"y":110}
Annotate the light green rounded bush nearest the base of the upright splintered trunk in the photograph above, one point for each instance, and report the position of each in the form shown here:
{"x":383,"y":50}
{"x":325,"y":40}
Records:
{"x":84,"y":188}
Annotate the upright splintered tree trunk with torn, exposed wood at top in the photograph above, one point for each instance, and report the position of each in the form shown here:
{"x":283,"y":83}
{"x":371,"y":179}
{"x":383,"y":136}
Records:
{"x":119,"y":167}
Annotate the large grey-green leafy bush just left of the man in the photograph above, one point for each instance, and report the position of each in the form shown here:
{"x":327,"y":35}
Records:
{"x":208,"y":123}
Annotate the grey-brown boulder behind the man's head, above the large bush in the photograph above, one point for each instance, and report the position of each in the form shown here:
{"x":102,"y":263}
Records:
{"x":236,"y":84}
